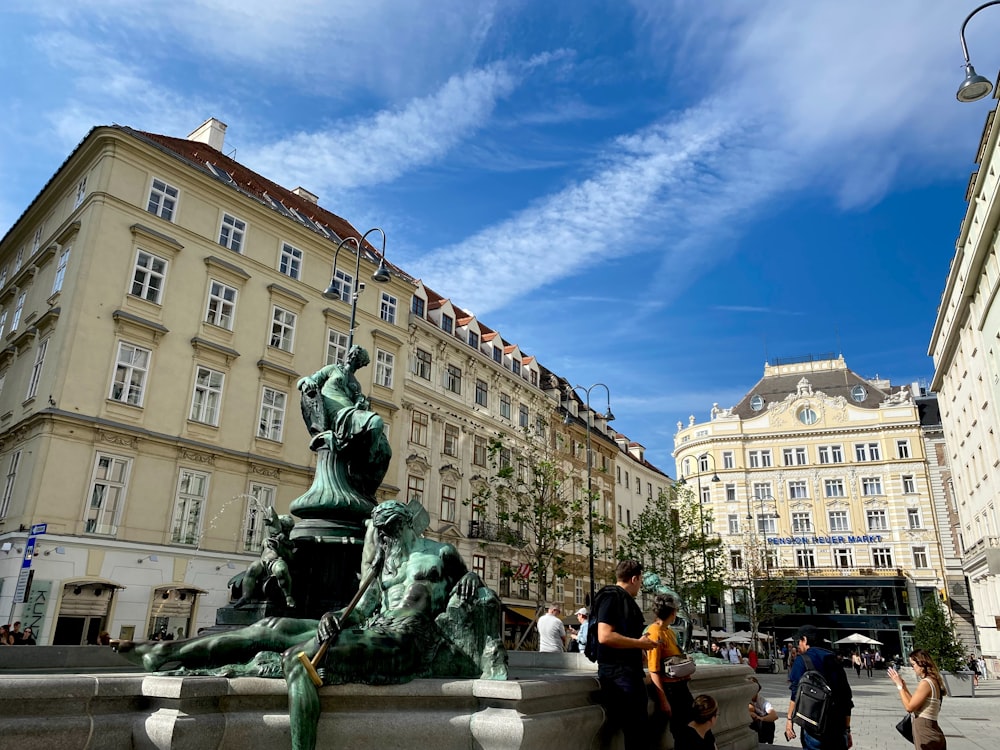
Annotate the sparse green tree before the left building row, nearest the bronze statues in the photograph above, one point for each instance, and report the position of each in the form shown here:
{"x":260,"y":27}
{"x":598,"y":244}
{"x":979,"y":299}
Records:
{"x":537,"y":513}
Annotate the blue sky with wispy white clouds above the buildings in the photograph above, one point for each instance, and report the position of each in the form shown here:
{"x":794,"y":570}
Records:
{"x":657,"y":194}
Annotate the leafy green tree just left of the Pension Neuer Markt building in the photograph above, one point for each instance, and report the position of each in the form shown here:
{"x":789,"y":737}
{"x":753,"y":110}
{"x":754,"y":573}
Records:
{"x":669,"y":538}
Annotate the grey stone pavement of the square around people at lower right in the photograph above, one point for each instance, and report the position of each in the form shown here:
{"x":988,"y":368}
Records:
{"x":968,"y":723}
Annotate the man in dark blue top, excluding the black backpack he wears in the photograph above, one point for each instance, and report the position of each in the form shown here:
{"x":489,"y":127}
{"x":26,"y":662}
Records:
{"x":838,"y":728}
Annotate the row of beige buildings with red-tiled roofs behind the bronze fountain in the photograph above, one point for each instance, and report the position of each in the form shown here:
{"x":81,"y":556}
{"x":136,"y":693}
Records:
{"x":158,"y":304}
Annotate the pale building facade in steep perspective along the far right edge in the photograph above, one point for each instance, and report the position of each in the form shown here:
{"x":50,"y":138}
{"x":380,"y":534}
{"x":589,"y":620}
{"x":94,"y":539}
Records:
{"x":965,"y":345}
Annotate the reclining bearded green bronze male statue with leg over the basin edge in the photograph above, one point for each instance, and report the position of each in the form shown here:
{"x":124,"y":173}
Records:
{"x":426,"y":615}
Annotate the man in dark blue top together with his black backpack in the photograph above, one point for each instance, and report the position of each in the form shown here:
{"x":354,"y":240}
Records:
{"x":821,"y":700}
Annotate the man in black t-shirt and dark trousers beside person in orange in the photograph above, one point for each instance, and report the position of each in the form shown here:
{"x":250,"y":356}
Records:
{"x":621,"y":642}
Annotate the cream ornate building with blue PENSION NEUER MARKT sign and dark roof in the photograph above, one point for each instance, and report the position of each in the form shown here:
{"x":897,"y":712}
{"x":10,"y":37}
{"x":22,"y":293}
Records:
{"x":824,"y":474}
